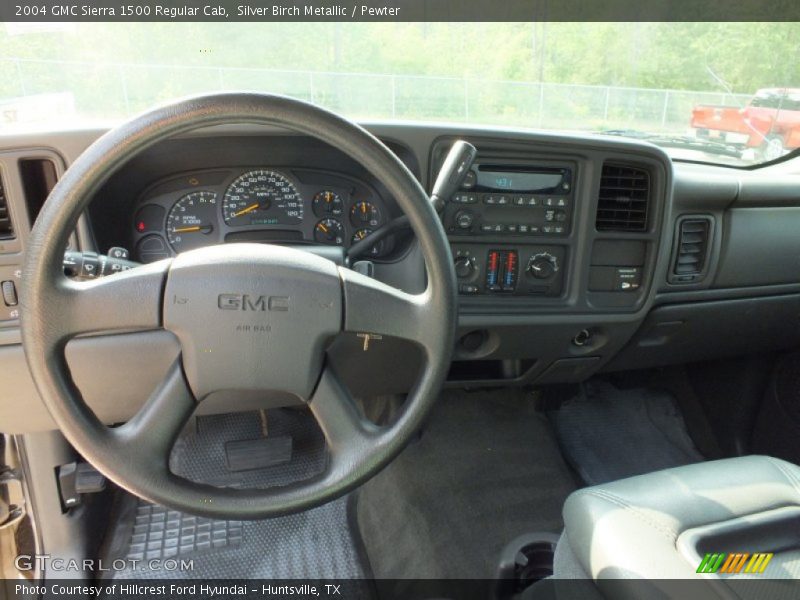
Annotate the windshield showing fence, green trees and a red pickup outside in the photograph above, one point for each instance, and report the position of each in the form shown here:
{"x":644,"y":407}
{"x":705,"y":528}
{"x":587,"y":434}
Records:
{"x":715,"y":92}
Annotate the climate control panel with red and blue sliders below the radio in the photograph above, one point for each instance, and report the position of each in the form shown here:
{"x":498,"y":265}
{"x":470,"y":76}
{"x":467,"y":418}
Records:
{"x":517,"y":270}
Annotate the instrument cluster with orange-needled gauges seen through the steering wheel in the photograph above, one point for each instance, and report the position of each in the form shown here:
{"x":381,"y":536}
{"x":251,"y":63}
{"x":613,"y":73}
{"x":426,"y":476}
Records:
{"x":269,"y":205}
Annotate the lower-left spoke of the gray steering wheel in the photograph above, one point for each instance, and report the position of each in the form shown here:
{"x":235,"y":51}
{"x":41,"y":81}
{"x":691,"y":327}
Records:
{"x":153,"y":430}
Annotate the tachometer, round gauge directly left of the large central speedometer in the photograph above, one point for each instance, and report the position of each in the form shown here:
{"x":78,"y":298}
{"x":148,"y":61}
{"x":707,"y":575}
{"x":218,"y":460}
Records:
{"x":191,"y":220}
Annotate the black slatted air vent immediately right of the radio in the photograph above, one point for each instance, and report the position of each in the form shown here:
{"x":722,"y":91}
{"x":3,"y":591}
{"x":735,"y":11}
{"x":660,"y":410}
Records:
{"x":623,"y":199}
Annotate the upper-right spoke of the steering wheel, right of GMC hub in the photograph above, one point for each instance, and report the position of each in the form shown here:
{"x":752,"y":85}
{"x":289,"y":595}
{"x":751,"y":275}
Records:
{"x":373,"y":308}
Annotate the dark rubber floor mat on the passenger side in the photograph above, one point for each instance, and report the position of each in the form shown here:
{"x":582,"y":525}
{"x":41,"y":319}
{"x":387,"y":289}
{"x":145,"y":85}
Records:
{"x":606,"y":433}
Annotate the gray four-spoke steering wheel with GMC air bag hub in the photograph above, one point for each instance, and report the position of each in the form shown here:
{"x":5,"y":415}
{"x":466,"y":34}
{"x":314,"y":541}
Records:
{"x":247,"y":316}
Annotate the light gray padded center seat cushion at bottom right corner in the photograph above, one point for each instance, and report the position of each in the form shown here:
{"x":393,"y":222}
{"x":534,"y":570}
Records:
{"x":631,"y":528}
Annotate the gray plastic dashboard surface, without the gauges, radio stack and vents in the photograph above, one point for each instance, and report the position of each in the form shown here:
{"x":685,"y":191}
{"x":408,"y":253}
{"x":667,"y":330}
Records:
{"x":538,"y":335}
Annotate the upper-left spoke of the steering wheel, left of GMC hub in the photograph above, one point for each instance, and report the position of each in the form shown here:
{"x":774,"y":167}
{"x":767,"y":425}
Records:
{"x":130,"y":300}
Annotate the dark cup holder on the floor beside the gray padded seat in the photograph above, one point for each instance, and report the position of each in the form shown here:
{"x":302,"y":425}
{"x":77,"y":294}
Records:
{"x":524,"y":561}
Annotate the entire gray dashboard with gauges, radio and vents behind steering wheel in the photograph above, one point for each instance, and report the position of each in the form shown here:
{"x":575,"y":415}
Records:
{"x":574,"y":254}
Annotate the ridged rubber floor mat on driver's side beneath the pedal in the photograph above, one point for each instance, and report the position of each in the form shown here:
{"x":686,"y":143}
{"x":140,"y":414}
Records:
{"x":318,"y":543}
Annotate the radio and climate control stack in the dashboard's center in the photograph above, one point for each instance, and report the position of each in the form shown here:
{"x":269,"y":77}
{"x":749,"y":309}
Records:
{"x":520,"y":203}
